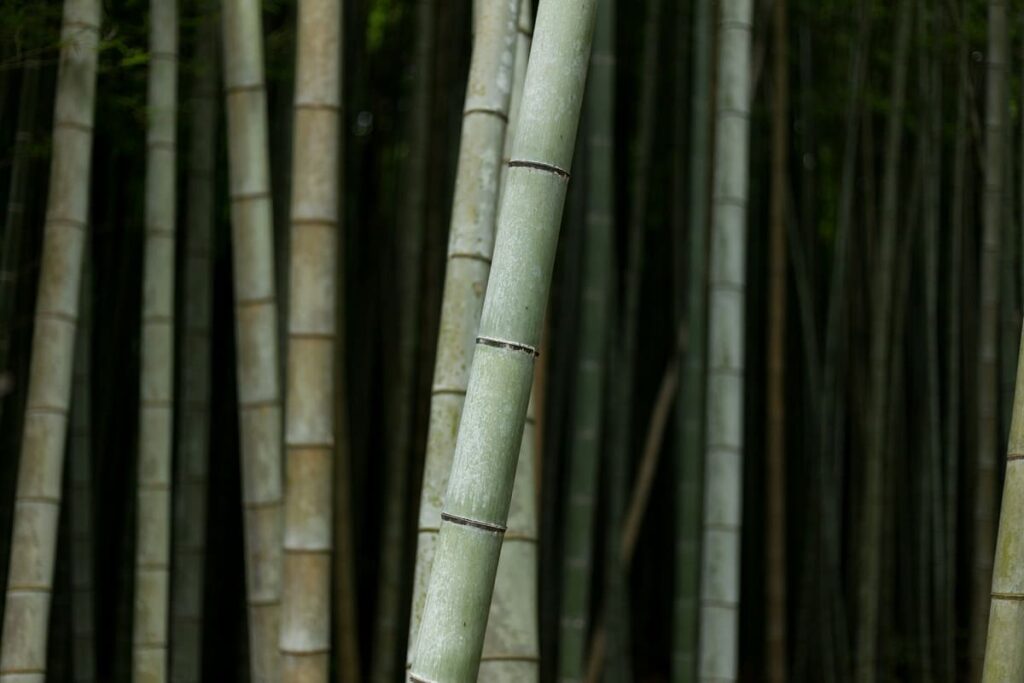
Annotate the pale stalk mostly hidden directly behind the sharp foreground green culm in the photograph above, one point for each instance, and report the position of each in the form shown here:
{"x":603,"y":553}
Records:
{"x":511,"y":649}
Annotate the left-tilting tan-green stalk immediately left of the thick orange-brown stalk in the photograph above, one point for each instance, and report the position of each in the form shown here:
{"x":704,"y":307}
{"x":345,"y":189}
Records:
{"x":257,"y":329}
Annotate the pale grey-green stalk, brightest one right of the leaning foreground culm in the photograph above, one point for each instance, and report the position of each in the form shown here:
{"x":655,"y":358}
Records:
{"x":719,"y":638}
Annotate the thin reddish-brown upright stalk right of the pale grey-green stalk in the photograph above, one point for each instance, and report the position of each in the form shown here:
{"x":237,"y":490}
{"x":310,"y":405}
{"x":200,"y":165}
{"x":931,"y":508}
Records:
{"x":776,"y":520}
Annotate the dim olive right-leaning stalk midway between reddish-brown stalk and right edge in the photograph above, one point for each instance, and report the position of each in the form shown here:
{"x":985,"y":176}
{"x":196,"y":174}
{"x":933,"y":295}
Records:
{"x":870,"y":543}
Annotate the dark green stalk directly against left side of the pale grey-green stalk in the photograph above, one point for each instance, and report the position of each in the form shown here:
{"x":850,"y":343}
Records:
{"x":691,"y":407}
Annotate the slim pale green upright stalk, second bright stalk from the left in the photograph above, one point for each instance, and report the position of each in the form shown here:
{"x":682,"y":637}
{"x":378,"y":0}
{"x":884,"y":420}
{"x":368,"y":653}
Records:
{"x":157,"y":385}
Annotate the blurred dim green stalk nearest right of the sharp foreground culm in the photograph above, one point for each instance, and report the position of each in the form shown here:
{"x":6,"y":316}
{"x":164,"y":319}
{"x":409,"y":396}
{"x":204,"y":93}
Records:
{"x":585,"y":445}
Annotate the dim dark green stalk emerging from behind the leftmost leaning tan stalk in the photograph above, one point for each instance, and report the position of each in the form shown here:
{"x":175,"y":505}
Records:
{"x":80,"y":492}
